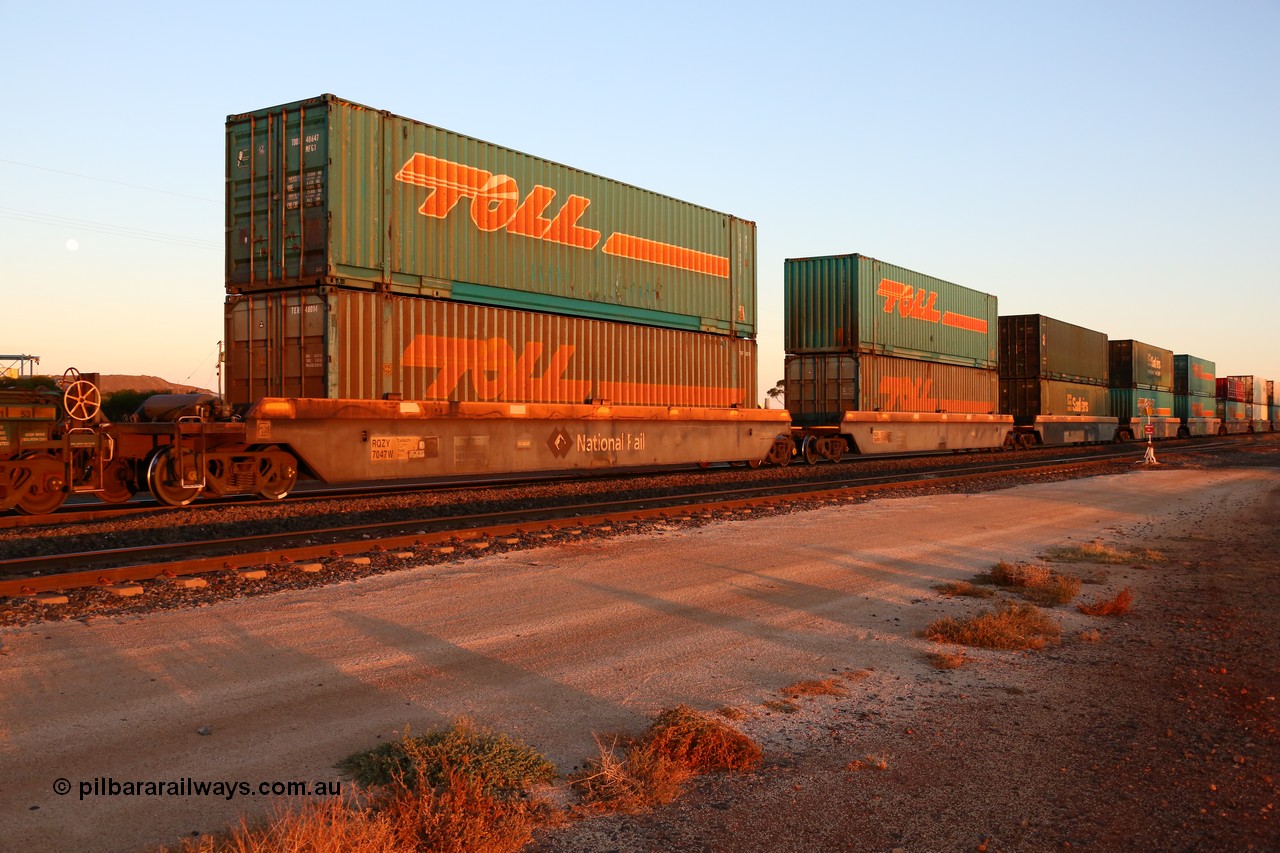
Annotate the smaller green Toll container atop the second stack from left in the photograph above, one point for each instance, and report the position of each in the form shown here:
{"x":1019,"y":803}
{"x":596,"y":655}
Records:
{"x":858,"y":304}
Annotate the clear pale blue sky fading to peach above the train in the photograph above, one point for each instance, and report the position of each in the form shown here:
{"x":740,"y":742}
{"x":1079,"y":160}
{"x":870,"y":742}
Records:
{"x":1112,"y":165}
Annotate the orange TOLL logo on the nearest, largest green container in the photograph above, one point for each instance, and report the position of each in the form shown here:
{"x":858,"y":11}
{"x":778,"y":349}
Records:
{"x":499,"y":204}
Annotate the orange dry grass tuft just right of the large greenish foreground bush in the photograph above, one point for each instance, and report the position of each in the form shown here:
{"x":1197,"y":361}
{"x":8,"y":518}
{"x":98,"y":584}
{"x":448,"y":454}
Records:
{"x":680,"y":743}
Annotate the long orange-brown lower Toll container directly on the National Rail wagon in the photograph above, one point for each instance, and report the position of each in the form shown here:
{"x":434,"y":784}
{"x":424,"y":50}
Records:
{"x":360,"y":345}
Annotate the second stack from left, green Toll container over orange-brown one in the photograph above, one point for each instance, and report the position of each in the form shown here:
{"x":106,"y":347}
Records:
{"x":866,"y":336}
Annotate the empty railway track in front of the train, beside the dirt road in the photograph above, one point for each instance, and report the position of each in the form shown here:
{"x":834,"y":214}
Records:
{"x":415,"y":537}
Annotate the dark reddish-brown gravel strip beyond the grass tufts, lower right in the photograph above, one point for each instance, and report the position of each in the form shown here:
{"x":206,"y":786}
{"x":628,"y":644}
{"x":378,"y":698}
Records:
{"x":1159,"y":733}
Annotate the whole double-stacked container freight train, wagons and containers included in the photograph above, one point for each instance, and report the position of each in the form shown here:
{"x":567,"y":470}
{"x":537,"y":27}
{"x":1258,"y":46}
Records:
{"x":404,"y":302}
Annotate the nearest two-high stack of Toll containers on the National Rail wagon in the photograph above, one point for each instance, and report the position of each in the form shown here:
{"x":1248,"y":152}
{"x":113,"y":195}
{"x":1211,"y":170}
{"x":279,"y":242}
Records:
{"x":371,"y":257}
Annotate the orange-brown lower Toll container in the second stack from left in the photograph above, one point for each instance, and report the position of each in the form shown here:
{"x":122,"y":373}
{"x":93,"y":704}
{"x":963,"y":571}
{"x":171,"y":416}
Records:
{"x":821,"y":387}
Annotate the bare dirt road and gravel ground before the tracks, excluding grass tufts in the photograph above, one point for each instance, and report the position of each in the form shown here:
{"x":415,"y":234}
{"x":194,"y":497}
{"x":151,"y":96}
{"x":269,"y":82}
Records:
{"x":559,"y":644}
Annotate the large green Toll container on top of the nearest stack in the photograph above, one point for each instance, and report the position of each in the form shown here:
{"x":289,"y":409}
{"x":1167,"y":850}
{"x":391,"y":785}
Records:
{"x":331,"y":193}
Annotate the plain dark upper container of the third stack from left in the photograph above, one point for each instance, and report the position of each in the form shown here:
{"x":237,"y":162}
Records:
{"x":1034,"y":346}
